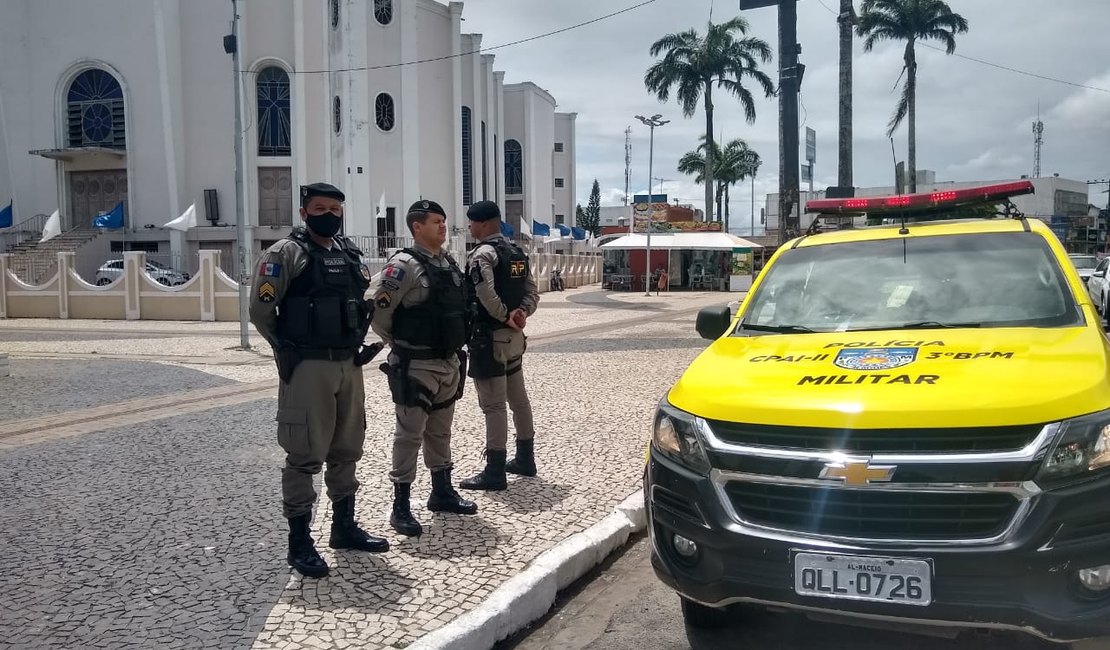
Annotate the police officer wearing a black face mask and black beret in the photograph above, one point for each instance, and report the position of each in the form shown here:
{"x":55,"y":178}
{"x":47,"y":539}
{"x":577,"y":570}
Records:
{"x":308,"y":301}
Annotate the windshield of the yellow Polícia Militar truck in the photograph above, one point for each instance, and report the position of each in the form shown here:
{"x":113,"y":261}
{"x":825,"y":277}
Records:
{"x":991,"y":280}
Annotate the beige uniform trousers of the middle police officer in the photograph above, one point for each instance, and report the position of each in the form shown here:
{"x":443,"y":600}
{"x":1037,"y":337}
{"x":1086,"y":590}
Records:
{"x":418,"y":428}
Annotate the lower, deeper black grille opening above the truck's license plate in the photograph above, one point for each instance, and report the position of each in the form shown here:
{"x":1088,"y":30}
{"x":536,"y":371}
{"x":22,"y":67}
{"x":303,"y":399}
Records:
{"x":873,"y":514}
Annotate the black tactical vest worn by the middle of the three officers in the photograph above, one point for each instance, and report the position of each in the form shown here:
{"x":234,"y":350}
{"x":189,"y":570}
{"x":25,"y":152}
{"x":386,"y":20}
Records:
{"x":440,"y":322}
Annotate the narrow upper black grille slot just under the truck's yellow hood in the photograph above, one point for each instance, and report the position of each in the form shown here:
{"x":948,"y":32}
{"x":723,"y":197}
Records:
{"x":978,"y":440}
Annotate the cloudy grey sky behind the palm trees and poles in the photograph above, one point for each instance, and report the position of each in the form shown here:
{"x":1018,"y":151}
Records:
{"x":974,"y":120}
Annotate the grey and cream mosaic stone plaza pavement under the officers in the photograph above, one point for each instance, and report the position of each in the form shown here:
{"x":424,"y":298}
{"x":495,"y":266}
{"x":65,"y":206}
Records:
{"x":142,"y":482}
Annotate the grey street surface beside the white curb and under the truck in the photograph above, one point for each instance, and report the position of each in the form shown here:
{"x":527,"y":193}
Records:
{"x":622,"y":606}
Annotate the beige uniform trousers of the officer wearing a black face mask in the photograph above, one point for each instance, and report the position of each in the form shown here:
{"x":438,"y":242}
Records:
{"x":321,"y":419}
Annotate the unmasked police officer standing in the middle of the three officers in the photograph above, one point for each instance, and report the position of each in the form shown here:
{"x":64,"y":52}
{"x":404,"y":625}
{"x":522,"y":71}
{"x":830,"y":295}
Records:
{"x":420,"y":310}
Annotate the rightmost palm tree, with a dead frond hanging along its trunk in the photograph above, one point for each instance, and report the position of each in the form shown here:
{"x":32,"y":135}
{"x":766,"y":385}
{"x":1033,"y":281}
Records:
{"x":911,"y":22}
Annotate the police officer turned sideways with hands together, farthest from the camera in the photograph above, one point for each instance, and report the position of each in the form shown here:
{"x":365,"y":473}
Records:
{"x":506,"y":296}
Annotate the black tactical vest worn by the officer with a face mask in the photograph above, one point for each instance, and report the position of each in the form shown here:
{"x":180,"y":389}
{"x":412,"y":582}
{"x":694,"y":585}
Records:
{"x":326,"y":307}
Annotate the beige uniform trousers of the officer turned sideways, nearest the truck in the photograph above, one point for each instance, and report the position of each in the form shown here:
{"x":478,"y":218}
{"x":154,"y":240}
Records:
{"x":495,"y":393}
